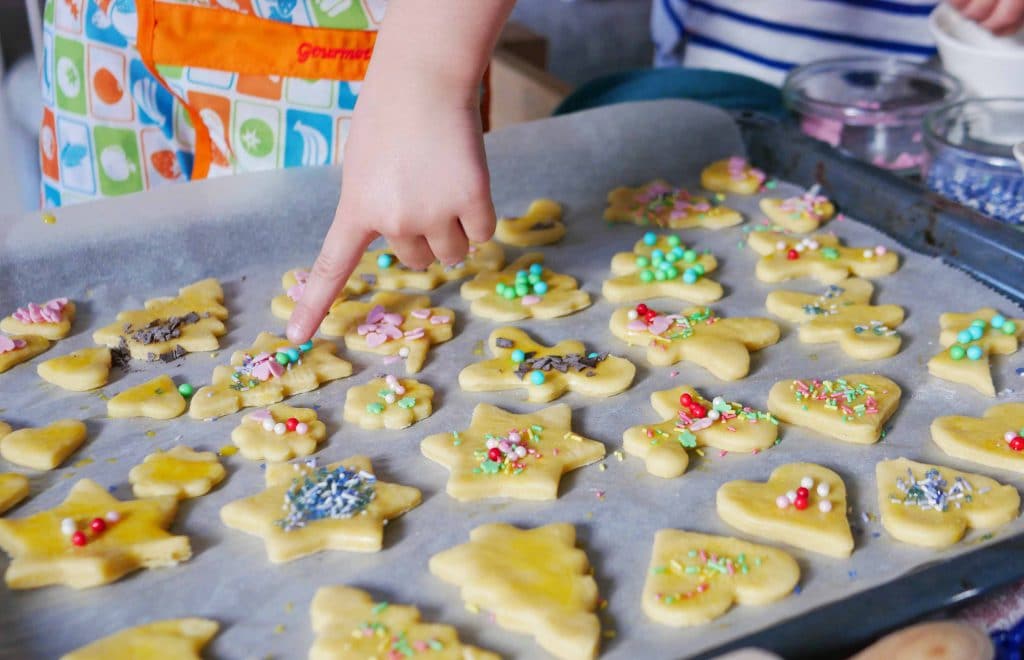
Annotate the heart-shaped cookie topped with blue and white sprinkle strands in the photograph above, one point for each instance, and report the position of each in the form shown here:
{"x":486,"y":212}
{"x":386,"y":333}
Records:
{"x":932,"y":506}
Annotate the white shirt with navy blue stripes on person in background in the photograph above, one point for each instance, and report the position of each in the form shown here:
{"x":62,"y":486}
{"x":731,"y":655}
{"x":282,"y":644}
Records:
{"x":766,"y":38}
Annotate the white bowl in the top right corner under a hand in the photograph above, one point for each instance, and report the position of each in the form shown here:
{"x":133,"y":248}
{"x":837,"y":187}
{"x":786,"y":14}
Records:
{"x":989,"y":66}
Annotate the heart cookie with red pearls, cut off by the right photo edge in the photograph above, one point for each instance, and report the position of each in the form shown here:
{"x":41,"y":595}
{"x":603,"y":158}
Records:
{"x":996,"y":441}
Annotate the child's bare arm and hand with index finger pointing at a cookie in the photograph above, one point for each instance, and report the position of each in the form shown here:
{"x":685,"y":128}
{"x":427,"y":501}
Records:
{"x":415,"y":169}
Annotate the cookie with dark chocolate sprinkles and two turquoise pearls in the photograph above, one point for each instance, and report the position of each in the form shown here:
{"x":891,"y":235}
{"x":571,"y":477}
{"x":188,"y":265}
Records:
{"x":546,"y":372}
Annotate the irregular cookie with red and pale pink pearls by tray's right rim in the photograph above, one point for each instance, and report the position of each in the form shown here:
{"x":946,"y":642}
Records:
{"x":822,"y":257}
